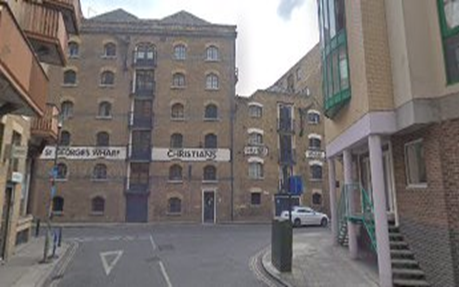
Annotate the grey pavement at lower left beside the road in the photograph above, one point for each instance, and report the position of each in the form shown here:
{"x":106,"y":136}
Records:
{"x":24,"y":269}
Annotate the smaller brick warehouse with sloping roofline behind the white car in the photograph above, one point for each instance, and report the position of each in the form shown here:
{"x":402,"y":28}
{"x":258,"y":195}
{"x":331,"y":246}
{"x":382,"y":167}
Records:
{"x":279,"y":133}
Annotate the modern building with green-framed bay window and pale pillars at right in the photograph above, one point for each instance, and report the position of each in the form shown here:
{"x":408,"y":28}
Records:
{"x":390,"y":78}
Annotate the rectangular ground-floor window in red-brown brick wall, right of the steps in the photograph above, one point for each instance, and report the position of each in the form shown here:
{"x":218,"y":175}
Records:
{"x":415,"y":163}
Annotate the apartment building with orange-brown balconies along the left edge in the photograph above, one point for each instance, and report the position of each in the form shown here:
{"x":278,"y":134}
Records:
{"x":33,"y":36}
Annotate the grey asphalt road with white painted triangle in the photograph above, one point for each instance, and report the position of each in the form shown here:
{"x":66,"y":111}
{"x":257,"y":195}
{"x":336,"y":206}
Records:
{"x":165,"y":255}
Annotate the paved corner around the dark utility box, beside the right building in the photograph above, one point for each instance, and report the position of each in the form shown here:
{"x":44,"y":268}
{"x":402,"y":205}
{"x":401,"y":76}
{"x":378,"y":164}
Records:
{"x":316,"y":263}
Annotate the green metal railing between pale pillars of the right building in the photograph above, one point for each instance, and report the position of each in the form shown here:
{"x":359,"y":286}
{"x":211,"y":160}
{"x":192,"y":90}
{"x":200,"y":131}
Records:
{"x":367,"y":215}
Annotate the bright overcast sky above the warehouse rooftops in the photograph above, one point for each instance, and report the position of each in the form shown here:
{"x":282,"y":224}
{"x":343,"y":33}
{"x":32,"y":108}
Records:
{"x":272,"y":34}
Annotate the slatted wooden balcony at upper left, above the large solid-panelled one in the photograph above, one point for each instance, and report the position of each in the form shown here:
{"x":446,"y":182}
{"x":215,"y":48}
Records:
{"x":46,"y":31}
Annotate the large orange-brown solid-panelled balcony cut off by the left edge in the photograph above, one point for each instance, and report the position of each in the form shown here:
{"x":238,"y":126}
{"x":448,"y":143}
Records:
{"x":20,"y":69}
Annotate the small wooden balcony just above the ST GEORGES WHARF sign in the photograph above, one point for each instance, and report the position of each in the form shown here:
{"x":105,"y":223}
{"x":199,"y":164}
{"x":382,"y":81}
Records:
{"x":46,"y":127}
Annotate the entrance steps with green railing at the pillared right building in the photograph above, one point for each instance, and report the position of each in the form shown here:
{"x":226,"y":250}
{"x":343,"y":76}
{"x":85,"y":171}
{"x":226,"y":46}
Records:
{"x":406,"y":271}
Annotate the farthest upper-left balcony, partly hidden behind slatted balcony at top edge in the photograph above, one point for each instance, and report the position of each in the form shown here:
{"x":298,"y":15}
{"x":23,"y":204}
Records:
{"x":71,"y":10}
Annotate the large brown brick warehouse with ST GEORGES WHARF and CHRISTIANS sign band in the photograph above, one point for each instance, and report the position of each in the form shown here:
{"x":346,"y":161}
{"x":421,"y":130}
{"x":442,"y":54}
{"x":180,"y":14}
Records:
{"x":146,"y":135}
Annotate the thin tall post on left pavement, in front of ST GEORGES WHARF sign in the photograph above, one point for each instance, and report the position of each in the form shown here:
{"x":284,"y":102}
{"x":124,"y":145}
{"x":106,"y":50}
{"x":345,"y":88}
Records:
{"x":54,"y":173}
